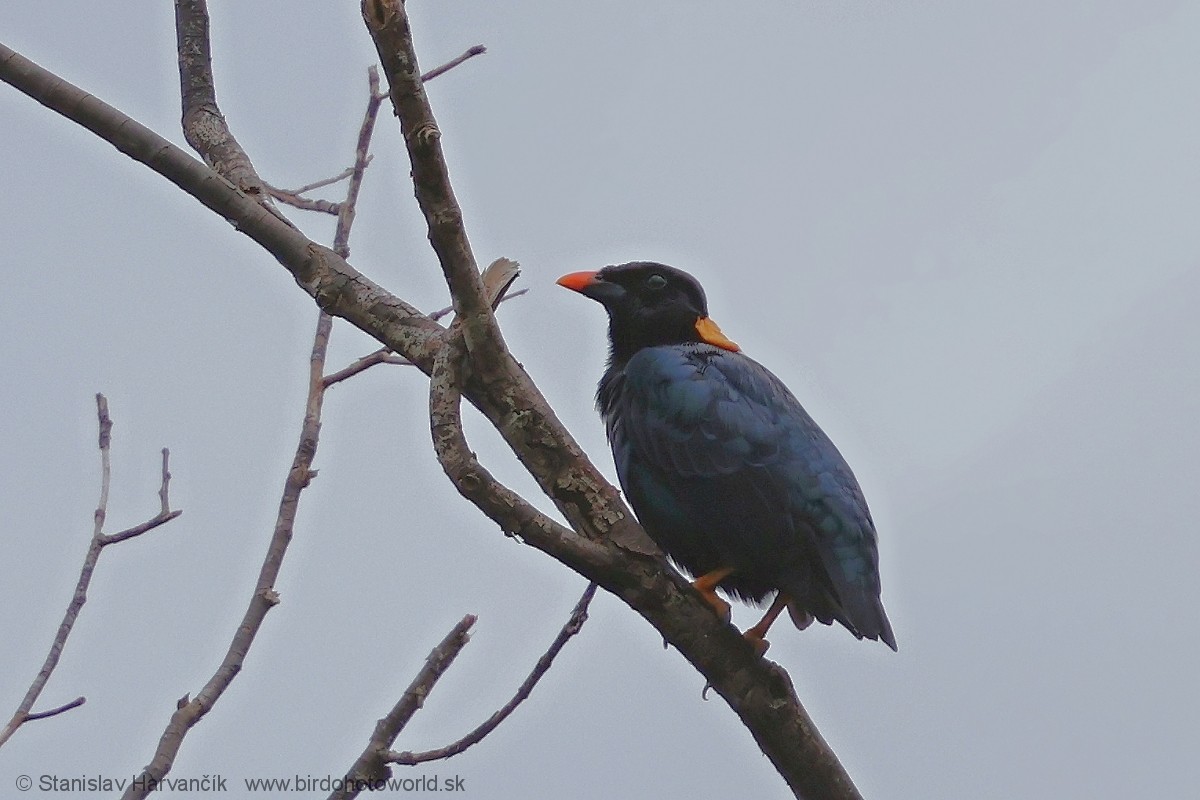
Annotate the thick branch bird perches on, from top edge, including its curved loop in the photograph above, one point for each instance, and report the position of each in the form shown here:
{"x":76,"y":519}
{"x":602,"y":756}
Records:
{"x":613,"y":551}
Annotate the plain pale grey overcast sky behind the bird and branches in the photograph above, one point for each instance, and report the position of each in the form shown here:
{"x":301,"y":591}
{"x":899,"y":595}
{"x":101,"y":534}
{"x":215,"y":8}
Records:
{"x":965,"y":234}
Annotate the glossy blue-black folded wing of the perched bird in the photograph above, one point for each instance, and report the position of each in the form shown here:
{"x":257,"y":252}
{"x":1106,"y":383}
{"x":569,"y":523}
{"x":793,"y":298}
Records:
{"x":721,"y":438}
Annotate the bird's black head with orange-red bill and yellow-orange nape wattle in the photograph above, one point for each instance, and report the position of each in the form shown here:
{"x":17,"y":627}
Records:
{"x":649,"y":305}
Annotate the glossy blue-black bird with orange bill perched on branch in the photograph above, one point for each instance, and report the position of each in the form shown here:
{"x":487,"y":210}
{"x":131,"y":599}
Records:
{"x":725,"y":470}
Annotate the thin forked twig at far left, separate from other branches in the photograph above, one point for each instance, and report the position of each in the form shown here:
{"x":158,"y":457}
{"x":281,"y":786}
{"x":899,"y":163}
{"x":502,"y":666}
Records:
{"x":99,"y":543}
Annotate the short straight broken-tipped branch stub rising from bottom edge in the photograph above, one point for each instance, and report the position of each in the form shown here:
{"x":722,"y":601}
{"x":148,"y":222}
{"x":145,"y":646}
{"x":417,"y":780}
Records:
{"x":371,"y":768}
